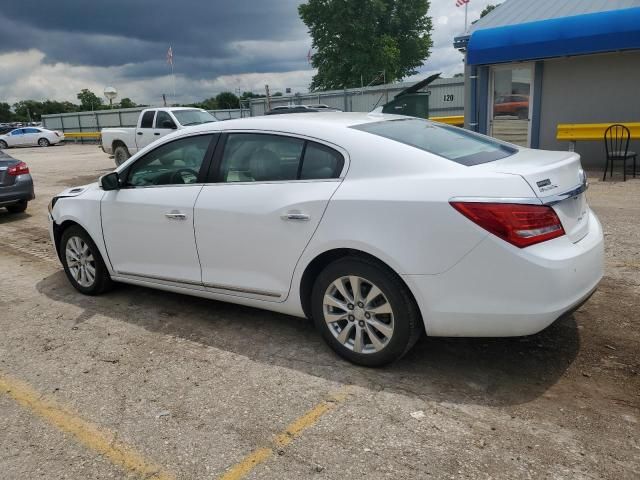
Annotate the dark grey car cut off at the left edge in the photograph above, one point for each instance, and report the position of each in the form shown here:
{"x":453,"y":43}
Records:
{"x":16,"y":184}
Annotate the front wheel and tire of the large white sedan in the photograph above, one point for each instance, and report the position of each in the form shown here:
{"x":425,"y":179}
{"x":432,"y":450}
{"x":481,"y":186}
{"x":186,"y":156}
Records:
{"x":83,"y":263}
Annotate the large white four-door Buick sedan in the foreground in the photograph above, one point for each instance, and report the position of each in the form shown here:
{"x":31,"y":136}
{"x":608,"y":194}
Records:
{"x":378,"y":227}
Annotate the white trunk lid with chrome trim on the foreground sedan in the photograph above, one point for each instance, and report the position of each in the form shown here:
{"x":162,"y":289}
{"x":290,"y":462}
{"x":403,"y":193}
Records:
{"x":557,"y":179}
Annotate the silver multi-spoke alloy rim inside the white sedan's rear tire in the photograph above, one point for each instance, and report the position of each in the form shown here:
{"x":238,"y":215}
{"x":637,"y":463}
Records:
{"x":358,"y":314}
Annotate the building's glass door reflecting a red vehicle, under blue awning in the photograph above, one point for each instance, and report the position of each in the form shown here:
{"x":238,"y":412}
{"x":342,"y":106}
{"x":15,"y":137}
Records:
{"x":511,"y":109}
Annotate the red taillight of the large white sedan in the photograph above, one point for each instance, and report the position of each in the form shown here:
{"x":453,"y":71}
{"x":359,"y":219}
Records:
{"x":520,"y":225}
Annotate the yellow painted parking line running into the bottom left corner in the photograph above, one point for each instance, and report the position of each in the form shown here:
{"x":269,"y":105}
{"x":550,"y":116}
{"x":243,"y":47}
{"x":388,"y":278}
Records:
{"x":87,"y":434}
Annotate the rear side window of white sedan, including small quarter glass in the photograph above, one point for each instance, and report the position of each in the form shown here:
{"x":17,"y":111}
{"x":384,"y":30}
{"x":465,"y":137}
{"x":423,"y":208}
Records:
{"x":257,"y":157}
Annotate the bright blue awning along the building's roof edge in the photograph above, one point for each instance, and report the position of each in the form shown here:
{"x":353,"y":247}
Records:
{"x":557,"y":37}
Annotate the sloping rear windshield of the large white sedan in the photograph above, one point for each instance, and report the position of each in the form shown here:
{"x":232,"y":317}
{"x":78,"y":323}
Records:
{"x":452,"y":143}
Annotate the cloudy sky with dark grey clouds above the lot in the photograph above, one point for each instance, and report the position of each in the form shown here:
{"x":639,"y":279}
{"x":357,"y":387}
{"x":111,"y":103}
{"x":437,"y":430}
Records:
{"x":53,"y":49}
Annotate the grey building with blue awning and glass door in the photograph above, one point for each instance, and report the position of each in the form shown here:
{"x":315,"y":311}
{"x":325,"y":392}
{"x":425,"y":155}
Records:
{"x":531,"y":65}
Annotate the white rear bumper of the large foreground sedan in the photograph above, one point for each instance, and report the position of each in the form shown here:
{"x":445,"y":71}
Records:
{"x":498,"y":290}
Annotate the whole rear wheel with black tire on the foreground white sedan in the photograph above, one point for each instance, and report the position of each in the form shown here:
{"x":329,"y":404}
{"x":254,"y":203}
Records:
{"x":365,"y":314}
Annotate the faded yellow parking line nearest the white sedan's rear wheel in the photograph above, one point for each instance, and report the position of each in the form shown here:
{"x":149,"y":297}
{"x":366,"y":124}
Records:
{"x":258,"y":456}
